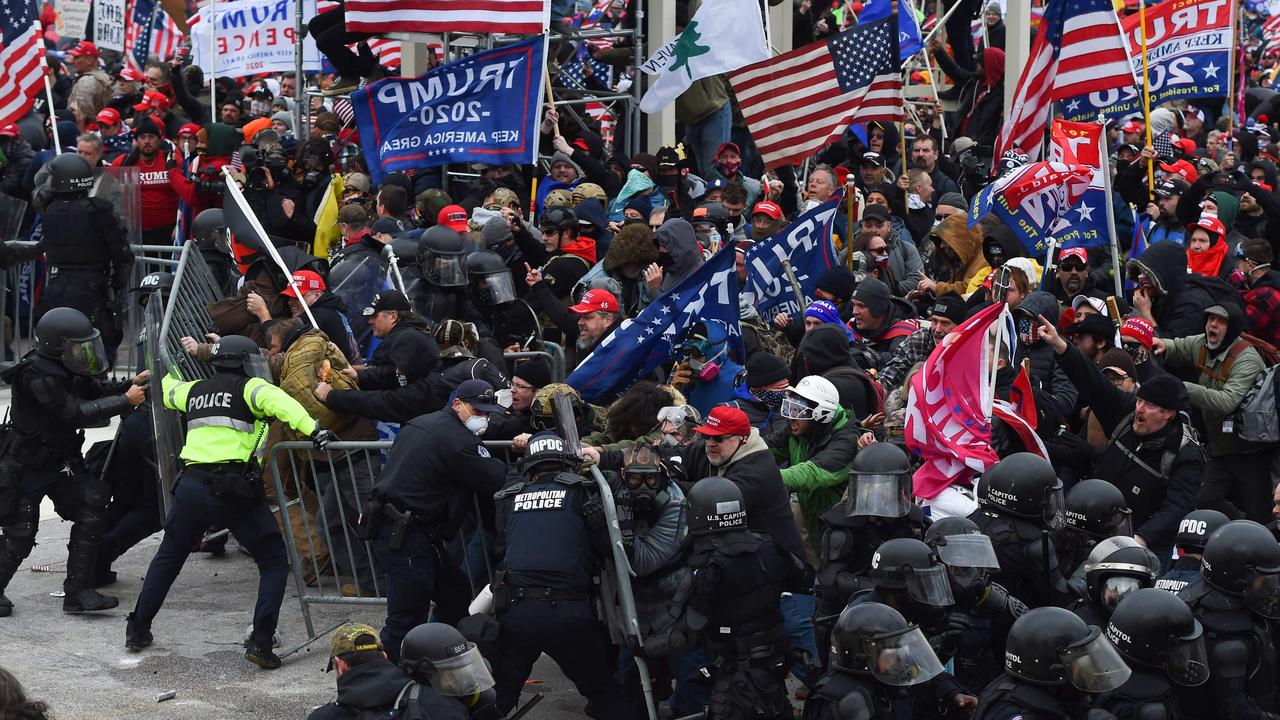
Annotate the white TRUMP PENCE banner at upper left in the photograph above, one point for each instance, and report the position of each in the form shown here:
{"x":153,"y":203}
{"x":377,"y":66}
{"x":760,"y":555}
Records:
{"x":254,"y":37}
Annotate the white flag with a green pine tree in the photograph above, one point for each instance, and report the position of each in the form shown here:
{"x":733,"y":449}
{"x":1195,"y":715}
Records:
{"x":721,"y":38}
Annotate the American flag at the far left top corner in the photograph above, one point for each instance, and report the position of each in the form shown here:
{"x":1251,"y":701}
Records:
{"x":22,"y":58}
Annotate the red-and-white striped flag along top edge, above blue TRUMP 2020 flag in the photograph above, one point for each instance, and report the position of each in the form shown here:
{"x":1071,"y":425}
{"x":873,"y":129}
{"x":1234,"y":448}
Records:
{"x":385,"y":17}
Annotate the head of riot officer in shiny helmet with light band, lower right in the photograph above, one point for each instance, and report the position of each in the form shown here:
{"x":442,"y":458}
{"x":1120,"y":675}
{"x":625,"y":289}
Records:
{"x":1116,"y":568}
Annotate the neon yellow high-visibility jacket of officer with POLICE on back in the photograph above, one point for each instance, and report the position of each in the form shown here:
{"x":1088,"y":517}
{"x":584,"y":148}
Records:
{"x":223,"y":444}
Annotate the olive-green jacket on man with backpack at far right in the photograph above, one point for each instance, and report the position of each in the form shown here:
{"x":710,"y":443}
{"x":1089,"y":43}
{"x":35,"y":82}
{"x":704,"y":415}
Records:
{"x":1217,"y":398}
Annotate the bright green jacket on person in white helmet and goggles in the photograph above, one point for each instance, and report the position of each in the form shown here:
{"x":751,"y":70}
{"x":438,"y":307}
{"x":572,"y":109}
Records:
{"x":817,"y":470}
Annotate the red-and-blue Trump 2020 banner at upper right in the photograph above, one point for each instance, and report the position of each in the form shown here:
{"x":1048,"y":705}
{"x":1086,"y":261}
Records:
{"x":1188,"y":56}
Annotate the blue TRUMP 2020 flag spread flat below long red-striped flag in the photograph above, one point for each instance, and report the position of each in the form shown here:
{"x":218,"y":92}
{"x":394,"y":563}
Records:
{"x":481,"y":110}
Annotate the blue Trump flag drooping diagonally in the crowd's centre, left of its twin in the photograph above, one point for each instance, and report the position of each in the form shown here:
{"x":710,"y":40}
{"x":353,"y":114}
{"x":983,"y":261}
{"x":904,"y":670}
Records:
{"x":641,"y":345}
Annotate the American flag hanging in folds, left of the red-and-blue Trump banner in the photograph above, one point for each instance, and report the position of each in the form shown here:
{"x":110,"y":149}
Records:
{"x":1080,"y":51}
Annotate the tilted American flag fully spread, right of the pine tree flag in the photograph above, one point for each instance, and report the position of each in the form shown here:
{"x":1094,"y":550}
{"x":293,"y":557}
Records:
{"x":801,"y":101}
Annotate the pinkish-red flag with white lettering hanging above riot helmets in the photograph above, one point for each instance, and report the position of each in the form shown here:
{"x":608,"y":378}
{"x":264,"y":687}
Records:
{"x":949,"y":411}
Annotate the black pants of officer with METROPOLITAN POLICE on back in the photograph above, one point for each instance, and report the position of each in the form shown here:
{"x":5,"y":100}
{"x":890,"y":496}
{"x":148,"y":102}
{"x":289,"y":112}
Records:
{"x":569,"y":632}
